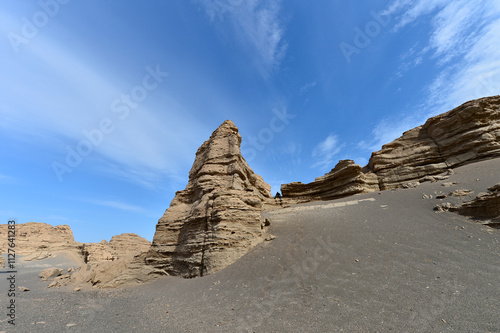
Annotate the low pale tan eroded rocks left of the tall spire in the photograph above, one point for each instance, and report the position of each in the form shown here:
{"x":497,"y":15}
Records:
{"x":104,"y":264}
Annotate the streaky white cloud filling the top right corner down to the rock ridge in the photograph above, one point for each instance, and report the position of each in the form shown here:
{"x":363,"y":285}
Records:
{"x":462,"y":43}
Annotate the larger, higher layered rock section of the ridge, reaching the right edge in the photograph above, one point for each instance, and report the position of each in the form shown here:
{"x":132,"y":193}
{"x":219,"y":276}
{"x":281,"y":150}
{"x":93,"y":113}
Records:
{"x":468,"y":133}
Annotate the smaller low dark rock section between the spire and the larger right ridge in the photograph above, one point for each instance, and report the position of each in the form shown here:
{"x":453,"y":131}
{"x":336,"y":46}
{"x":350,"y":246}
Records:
{"x":346,"y":179}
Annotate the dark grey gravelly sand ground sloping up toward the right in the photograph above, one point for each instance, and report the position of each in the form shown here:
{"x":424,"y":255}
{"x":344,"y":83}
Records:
{"x":378,"y":262}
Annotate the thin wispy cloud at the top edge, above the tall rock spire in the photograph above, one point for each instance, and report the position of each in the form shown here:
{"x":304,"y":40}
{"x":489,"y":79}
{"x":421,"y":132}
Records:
{"x":257,"y":25}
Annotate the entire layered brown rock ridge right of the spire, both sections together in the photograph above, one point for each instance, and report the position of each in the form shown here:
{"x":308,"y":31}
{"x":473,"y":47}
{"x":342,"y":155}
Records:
{"x":468,"y":133}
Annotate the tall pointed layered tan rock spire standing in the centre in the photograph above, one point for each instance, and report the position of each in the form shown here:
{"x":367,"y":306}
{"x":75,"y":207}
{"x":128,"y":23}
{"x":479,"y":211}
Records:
{"x":216,"y":219}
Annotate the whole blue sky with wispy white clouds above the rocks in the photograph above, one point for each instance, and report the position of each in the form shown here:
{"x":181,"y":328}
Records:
{"x":104,"y":103}
